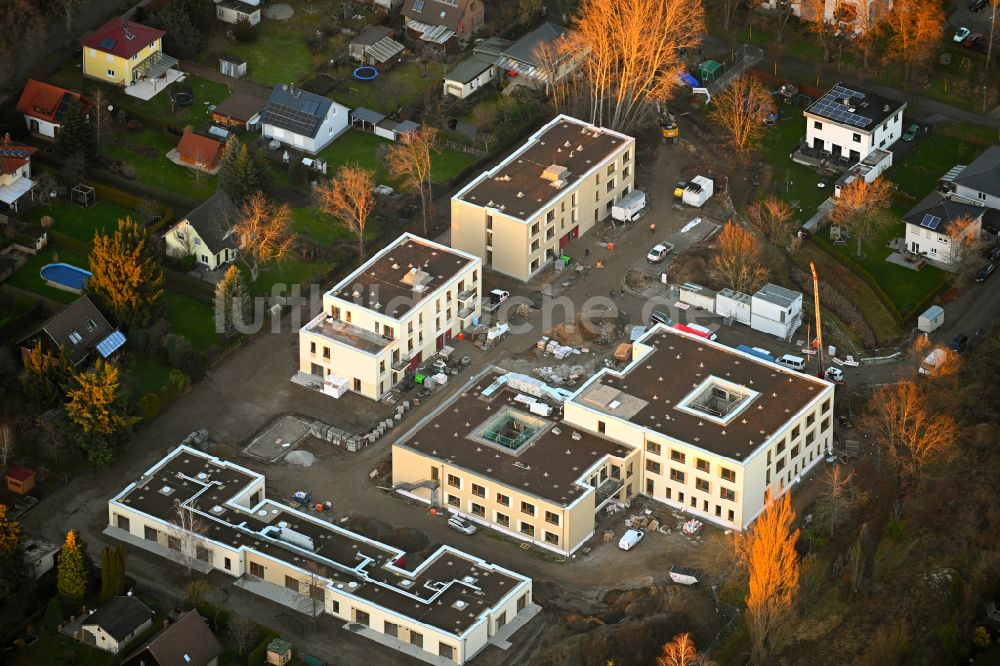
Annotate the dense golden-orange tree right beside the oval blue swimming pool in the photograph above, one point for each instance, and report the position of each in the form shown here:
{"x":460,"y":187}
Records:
{"x":126,"y":275}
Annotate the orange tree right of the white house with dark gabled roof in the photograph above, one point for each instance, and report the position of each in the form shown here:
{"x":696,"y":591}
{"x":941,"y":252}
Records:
{"x":262,"y":232}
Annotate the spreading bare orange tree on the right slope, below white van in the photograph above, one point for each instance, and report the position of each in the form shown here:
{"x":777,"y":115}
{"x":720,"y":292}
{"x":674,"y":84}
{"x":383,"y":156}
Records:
{"x":904,"y":423}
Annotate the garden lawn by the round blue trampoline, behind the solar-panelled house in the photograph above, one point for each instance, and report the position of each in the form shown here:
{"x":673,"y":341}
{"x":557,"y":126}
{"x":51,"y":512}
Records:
{"x":403,"y":85}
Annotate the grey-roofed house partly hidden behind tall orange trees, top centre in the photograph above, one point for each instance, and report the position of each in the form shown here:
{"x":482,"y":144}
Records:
{"x":538,"y":58}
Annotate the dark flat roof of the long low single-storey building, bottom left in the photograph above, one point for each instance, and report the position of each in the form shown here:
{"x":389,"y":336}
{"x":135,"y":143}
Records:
{"x":350,"y":563}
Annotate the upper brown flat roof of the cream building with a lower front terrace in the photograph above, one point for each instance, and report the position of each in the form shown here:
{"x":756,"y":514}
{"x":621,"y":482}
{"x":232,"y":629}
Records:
{"x":400,"y":277}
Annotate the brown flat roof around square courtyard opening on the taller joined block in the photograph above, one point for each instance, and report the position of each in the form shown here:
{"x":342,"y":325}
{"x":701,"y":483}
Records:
{"x":648,"y":393}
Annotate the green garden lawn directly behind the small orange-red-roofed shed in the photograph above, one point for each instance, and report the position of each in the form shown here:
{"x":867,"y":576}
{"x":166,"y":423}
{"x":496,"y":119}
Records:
{"x":159,"y":172}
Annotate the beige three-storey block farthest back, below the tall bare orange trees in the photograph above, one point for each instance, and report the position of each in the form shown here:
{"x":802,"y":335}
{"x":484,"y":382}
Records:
{"x":519,"y":216}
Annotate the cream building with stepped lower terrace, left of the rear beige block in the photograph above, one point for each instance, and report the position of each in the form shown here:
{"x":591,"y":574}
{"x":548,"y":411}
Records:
{"x":398,"y":309}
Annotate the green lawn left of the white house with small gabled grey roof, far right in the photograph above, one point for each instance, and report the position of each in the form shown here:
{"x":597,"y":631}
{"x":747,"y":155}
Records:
{"x":906,"y":288}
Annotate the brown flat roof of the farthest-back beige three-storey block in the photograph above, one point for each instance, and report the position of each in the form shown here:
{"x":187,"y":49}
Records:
{"x":517,"y":186}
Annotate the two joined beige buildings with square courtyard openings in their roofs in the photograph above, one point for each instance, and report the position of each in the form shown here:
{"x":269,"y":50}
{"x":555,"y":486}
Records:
{"x":690,"y":423}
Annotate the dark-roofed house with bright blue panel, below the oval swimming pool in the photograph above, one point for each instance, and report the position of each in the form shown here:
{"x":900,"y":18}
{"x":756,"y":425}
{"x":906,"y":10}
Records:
{"x":79,"y":330}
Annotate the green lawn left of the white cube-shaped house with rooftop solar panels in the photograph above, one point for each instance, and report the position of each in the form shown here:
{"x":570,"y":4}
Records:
{"x":793,"y":182}
